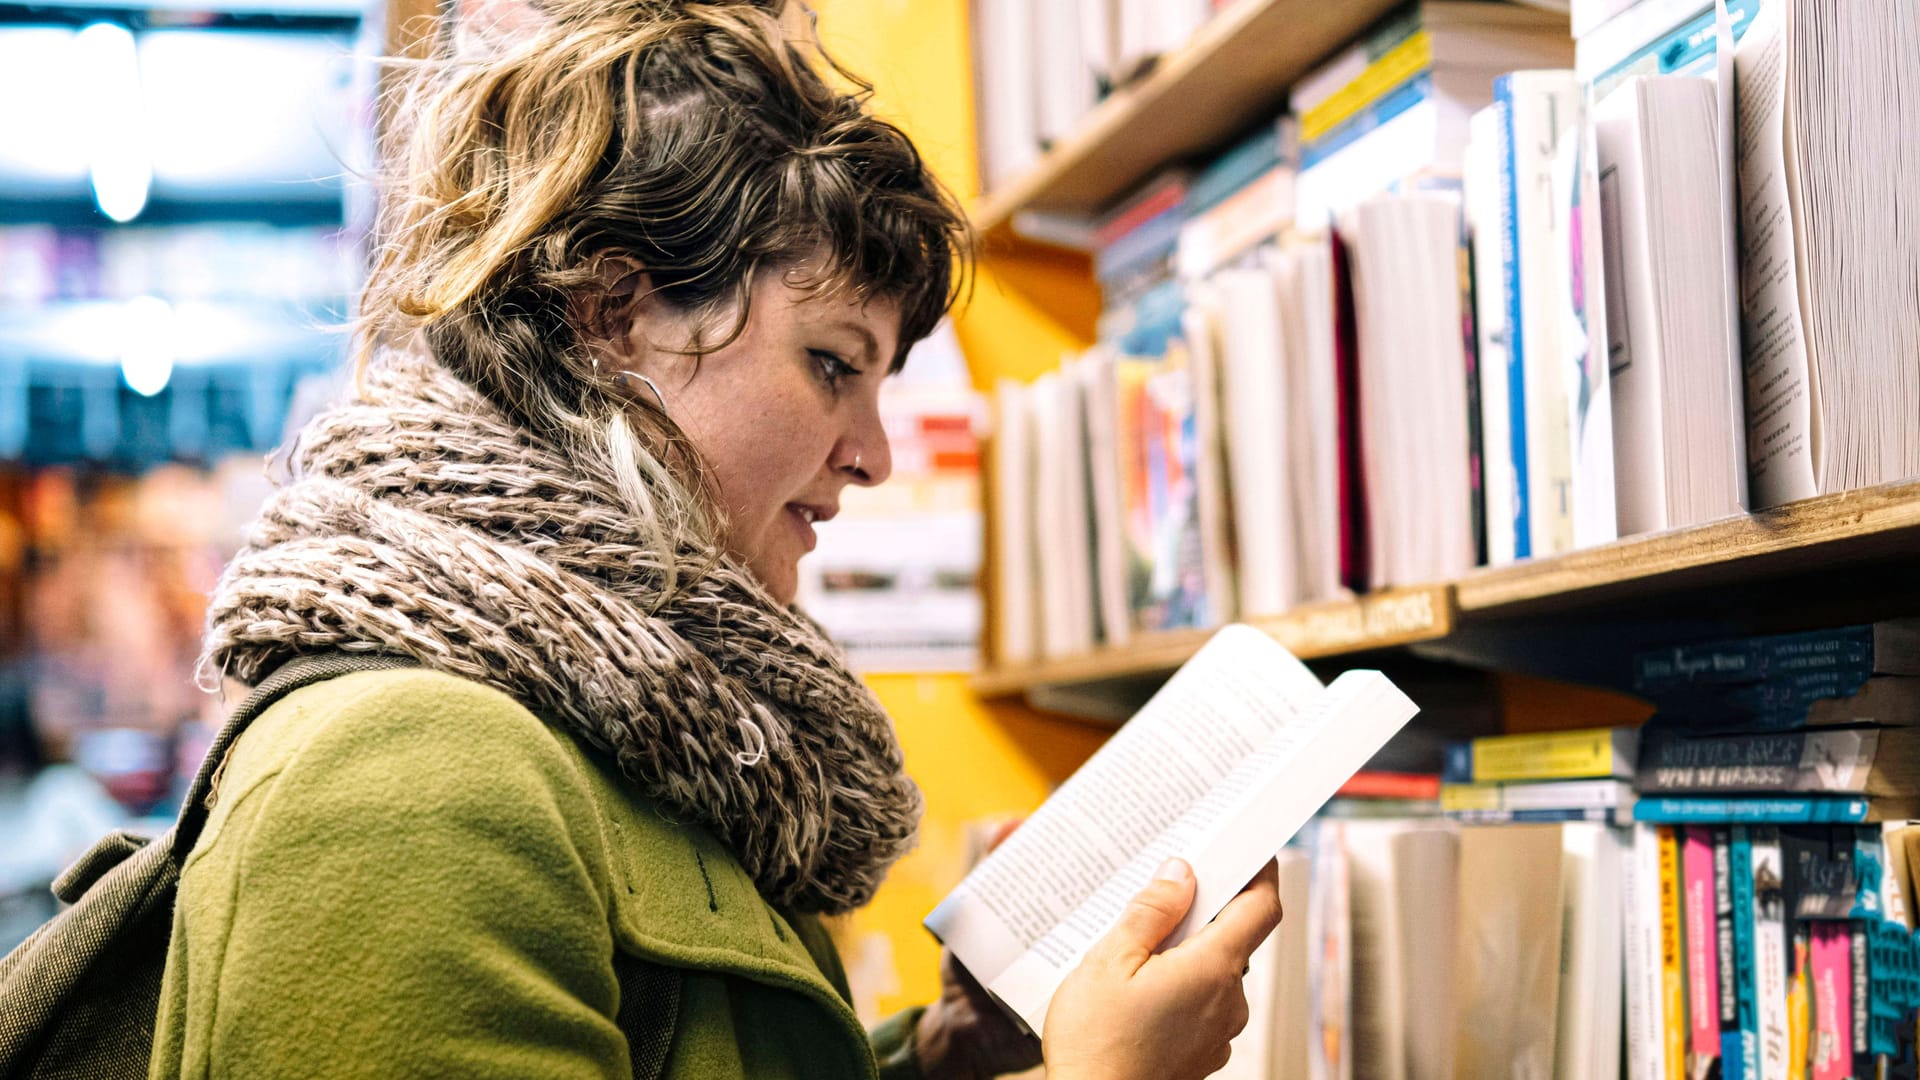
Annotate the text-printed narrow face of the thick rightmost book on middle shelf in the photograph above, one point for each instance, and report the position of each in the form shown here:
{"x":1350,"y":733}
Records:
{"x":1781,"y":437}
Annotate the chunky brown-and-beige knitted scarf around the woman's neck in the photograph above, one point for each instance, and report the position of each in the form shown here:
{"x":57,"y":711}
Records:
{"x":421,"y":522}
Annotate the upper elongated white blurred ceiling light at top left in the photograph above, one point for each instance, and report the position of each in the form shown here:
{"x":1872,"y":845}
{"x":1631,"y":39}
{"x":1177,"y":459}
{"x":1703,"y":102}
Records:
{"x":114,"y":110}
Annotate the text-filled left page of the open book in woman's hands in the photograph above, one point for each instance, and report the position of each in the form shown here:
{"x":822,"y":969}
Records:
{"x":1205,"y":724}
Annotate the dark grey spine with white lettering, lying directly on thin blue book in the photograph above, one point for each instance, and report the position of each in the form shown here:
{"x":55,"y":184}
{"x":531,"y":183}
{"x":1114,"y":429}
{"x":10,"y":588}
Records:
{"x":1835,"y":762}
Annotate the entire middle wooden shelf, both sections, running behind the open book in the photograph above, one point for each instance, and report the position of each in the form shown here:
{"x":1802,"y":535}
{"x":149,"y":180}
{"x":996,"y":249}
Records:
{"x":1831,"y":539}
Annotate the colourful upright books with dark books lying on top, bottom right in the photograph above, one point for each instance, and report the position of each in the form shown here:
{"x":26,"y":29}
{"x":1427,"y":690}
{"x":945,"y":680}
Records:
{"x":1762,"y":893}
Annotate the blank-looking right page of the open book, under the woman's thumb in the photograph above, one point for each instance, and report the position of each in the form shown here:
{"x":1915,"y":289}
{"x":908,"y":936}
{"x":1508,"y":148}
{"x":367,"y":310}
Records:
{"x":1228,"y":835}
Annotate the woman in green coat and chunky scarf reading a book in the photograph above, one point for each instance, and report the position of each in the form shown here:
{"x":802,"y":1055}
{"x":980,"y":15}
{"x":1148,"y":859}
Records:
{"x":644,"y":276}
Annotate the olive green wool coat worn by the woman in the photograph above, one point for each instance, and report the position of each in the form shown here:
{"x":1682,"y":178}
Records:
{"x":412,"y":875}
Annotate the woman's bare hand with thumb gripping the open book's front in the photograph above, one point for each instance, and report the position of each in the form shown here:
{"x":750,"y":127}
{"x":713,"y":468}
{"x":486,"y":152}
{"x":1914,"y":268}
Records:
{"x":1128,"y":1012}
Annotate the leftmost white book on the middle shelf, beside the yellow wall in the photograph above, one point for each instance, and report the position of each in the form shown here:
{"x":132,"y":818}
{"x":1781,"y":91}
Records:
{"x":1013,"y":529}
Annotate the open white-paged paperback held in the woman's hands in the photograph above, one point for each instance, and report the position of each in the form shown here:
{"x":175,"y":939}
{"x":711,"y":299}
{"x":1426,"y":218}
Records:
{"x":1220,"y":768}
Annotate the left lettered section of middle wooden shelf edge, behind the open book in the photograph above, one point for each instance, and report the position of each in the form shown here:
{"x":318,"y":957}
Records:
{"x":1337,"y":627}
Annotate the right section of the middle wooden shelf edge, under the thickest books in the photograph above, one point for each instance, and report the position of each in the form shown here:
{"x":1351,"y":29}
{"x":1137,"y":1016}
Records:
{"x":1836,"y":526}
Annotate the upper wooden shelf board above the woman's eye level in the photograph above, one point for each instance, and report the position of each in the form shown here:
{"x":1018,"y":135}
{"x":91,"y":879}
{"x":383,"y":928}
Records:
{"x":1230,"y":76}
